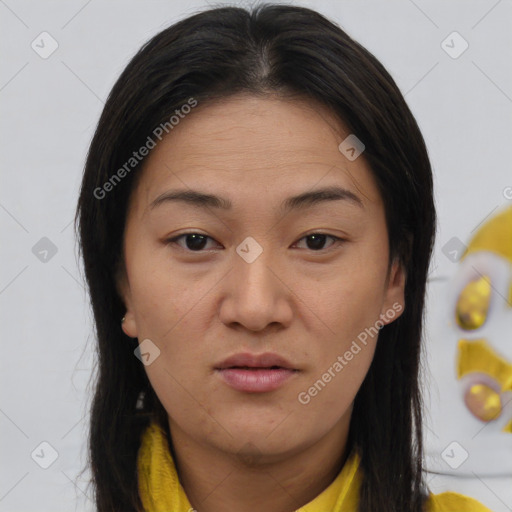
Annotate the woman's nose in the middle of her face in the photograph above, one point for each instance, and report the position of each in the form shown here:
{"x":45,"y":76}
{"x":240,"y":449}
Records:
{"x":256,"y":296}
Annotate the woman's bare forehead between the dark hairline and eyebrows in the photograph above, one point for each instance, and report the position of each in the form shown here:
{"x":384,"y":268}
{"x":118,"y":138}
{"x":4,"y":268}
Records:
{"x":263,"y":146}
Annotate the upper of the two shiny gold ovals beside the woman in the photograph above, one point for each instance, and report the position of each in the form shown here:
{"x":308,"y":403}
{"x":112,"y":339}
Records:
{"x":473,"y":304}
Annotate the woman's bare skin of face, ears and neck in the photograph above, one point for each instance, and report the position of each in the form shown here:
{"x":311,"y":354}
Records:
{"x":270,"y":452}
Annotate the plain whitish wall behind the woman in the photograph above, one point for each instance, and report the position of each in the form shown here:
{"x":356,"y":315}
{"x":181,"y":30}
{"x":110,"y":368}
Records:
{"x":49,"y":111}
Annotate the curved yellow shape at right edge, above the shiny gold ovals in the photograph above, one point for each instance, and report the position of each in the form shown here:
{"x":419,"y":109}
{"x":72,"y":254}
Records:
{"x":495,"y":236}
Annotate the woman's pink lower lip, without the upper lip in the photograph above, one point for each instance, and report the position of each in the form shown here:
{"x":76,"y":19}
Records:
{"x":255,"y":381}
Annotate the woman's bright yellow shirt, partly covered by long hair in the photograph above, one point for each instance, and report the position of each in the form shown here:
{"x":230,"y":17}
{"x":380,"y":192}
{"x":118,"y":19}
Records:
{"x":161,"y":491}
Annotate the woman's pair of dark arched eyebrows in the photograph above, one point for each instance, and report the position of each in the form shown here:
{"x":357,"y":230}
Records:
{"x":304,"y":200}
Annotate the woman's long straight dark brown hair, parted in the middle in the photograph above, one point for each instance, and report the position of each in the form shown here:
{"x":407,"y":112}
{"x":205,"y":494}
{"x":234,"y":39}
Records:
{"x":293,"y":52}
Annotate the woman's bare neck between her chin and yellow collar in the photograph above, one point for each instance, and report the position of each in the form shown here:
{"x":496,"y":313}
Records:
{"x":217,"y":479}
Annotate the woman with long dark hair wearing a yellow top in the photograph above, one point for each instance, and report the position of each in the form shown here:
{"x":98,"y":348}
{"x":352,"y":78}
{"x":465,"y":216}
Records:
{"x":256,"y":220}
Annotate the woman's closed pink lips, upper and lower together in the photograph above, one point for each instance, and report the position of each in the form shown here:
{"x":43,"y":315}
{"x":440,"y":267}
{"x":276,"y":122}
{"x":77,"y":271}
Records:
{"x":255,"y":373}
